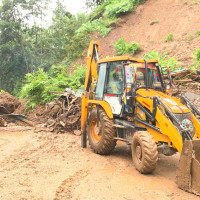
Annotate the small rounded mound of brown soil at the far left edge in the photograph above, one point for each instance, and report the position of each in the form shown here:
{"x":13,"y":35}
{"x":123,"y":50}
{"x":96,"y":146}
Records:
{"x":9,"y":102}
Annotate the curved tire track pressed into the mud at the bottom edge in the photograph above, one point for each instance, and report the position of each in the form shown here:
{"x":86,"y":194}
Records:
{"x":65,"y":190}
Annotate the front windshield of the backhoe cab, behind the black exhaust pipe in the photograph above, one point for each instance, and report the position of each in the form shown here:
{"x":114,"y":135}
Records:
{"x":135,"y":74}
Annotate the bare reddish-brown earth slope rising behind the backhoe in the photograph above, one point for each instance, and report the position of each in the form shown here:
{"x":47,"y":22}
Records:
{"x":170,"y":16}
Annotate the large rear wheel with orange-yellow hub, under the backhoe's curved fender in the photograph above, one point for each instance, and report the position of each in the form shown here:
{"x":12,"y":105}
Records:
{"x":101,"y":138}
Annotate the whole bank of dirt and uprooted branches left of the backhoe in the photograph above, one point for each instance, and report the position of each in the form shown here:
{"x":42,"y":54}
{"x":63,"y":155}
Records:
{"x":61,"y":115}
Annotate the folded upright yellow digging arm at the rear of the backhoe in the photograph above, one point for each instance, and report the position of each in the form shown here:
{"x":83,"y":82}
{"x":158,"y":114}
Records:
{"x":90,"y":82}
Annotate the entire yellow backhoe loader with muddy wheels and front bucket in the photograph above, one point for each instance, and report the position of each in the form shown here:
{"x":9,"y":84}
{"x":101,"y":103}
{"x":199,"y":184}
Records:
{"x":128,"y":99}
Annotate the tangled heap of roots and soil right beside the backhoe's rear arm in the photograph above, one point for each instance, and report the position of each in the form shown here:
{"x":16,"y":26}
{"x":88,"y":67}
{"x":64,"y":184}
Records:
{"x":61,"y":115}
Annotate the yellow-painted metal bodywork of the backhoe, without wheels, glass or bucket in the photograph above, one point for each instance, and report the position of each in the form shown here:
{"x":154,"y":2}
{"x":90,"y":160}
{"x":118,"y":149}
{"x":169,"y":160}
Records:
{"x":168,"y":132}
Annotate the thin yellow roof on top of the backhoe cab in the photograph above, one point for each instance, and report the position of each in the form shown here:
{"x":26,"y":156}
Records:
{"x":124,"y":58}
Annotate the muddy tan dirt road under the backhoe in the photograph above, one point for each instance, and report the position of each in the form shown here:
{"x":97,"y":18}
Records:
{"x":45,"y":166}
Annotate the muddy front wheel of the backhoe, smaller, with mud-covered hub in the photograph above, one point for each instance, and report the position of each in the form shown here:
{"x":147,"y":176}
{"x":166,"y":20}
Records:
{"x":144,"y":152}
